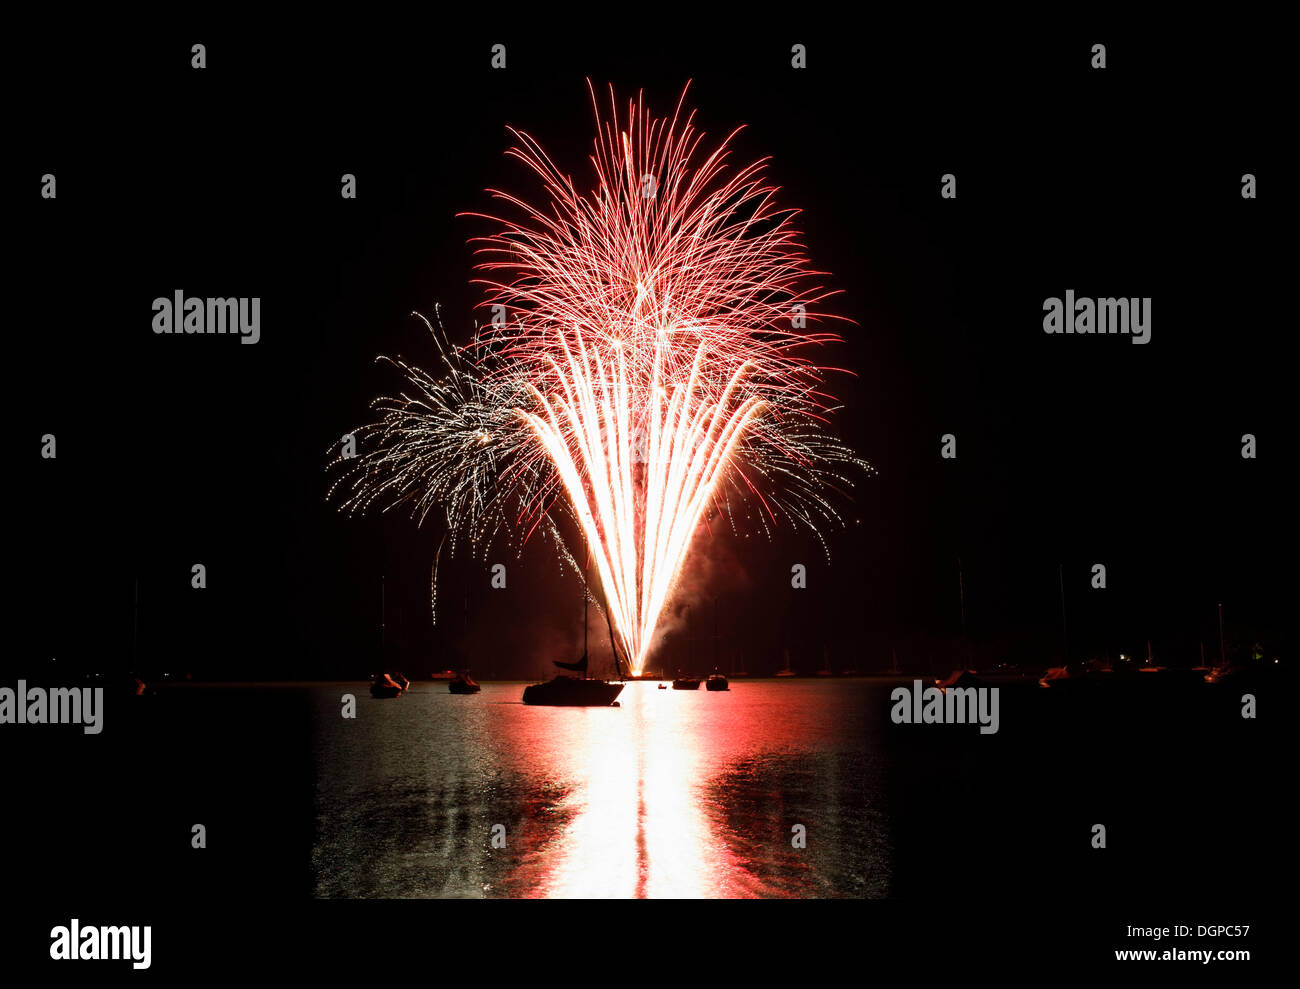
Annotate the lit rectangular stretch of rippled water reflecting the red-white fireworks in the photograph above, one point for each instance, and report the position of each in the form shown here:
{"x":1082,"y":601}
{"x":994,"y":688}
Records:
{"x":671,"y":795}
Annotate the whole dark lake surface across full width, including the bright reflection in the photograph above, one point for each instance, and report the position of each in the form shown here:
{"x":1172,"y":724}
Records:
{"x":674,"y":795}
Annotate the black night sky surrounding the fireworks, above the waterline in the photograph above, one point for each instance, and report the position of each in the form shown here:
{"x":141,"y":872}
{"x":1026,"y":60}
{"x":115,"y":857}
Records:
{"x":1072,"y":452}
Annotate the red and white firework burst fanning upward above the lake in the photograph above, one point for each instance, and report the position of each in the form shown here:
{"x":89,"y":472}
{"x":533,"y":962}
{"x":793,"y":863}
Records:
{"x":649,"y":367}
